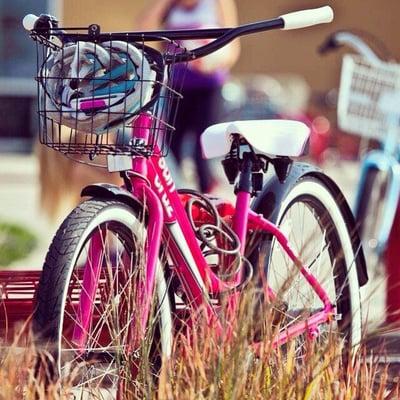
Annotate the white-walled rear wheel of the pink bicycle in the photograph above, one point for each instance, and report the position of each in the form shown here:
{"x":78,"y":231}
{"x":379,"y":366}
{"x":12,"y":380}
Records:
{"x":318,"y":231}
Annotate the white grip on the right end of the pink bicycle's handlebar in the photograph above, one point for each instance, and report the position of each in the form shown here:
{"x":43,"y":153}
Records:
{"x":302,"y":19}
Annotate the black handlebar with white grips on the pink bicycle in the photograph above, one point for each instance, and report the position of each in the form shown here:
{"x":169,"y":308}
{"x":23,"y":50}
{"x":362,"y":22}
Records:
{"x":48,"y":25}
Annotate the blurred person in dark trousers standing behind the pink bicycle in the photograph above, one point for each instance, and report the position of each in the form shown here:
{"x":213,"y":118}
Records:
{"x":204,"y":77}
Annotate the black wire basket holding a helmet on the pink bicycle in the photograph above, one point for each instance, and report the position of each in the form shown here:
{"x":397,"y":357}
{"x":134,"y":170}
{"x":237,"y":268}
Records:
{"x":91,"y":93}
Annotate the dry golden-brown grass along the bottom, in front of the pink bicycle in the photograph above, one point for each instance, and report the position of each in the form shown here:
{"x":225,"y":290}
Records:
{"x":206,"y":366}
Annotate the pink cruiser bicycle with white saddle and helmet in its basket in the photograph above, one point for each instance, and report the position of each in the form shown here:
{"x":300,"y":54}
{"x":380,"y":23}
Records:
{"x":130,"y":261}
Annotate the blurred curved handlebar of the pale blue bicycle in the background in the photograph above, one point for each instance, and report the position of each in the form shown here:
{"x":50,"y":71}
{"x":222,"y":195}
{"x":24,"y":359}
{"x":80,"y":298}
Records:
{"x":350,"y":39}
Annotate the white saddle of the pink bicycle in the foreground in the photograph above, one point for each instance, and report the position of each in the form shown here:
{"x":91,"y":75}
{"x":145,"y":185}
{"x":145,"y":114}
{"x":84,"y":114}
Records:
{"x":272,"y":137}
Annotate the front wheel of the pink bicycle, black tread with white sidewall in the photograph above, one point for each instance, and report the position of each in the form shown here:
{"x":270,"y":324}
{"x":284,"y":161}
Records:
{"x":89,"y":304}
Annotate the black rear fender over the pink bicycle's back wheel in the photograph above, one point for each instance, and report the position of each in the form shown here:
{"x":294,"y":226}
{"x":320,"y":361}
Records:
{"x":274,"y":191}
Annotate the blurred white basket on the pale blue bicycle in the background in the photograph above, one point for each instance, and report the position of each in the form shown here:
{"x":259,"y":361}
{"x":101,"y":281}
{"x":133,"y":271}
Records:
{"x":365,"y":88}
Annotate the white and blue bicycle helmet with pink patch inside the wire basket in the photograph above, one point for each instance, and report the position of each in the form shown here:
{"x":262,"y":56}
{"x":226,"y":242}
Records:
{"x":93,"y":87}
